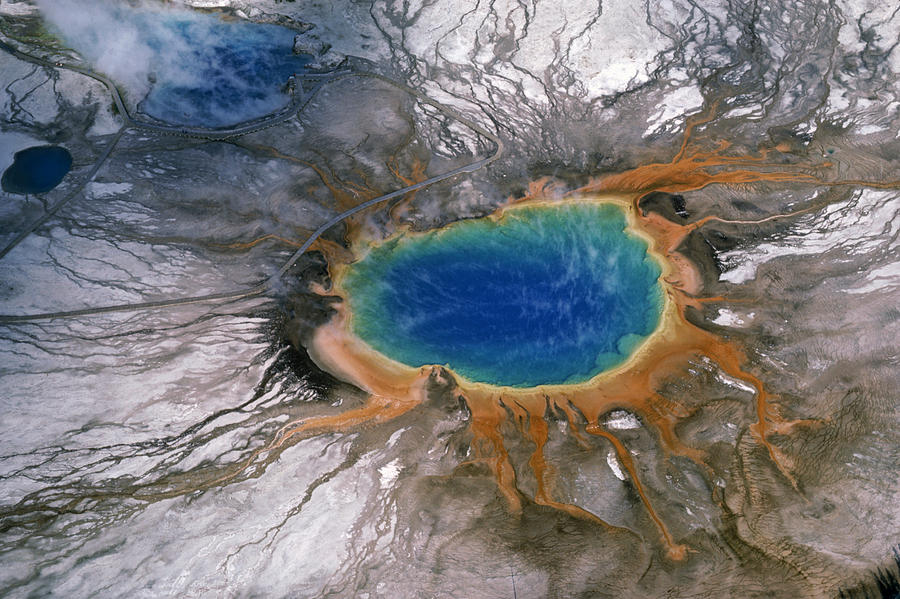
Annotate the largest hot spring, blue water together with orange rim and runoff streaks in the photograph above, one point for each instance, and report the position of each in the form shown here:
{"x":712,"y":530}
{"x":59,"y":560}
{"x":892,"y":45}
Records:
{"x":395,"y":282}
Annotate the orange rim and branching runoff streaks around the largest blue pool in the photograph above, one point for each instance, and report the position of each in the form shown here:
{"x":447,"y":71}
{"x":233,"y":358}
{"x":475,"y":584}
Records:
{"x":396,"y":388}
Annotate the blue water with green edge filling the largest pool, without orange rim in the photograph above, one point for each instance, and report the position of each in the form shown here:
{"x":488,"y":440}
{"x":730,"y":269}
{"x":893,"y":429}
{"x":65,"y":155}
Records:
{"x":546,"y":295}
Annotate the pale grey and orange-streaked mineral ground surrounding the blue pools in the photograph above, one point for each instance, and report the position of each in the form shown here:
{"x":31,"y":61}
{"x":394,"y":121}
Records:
{"x":211,"y":448}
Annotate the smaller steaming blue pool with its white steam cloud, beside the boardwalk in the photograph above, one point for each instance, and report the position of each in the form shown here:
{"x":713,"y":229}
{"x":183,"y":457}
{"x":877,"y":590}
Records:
{"x":192,"y":68}
